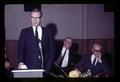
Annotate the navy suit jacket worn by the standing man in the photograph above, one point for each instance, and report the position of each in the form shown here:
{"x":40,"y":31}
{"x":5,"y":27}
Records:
{"x":28,"y":50}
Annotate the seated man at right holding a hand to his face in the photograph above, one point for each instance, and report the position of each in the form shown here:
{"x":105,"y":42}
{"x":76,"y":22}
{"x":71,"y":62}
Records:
{"x":92,"y":65}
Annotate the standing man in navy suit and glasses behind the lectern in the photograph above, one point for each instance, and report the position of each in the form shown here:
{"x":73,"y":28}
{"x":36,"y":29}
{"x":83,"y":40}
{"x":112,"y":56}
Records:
{"x":35,"y":48}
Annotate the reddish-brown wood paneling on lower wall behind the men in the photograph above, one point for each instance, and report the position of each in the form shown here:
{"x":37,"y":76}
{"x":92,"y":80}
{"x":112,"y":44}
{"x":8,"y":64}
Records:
{"x":84,"y":47}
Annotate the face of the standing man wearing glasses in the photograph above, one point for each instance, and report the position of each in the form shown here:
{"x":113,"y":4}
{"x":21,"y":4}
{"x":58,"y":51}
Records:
{"x":36,"y":18}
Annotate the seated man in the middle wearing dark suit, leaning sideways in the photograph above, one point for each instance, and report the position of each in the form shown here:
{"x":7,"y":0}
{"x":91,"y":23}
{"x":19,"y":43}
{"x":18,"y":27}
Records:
{"x":65,"y":58}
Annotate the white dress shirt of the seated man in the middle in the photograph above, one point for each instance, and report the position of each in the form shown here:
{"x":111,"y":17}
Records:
{"x":66,"y":57}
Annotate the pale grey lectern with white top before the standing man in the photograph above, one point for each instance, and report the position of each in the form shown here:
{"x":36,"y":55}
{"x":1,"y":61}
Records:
{"x":28,"y":73}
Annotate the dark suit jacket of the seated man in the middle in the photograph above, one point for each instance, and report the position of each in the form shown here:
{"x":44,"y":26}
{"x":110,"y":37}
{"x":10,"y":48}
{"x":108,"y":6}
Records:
{"x":73,"y":57}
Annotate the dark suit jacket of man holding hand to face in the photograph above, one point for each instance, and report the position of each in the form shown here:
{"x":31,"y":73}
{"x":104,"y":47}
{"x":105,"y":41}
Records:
{"x":98,"y":69}
